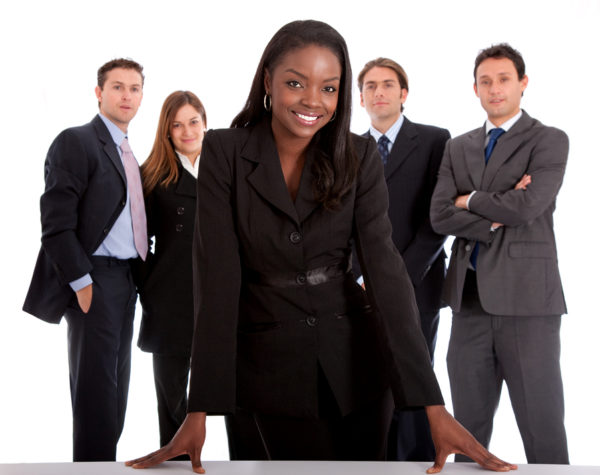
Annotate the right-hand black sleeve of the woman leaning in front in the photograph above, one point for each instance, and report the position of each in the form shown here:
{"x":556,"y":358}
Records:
{"x":390,"y":291}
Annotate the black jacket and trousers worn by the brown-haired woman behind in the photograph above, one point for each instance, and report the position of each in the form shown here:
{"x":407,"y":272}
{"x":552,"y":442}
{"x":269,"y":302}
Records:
{"x":166,"y":296}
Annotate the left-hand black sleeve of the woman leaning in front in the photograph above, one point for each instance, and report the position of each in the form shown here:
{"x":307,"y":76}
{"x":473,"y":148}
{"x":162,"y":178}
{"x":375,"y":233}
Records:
{"x":217,"y":283}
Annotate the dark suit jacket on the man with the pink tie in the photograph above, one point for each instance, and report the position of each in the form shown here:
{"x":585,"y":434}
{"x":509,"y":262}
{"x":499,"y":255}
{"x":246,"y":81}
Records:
{"x":85,"y":193}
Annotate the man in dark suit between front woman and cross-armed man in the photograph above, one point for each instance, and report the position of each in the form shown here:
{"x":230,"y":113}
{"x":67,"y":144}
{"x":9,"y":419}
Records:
{"x":411,"y":155}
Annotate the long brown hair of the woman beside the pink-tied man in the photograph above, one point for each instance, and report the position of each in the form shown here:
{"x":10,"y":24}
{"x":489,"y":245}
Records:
{"x":160,"y":168}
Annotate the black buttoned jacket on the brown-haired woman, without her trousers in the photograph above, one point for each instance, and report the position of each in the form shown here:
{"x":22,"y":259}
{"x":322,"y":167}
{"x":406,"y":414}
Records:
{"x":166,"y":290}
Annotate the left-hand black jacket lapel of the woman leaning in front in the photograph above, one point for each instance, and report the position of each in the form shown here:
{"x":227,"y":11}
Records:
{"x":267,"y":177}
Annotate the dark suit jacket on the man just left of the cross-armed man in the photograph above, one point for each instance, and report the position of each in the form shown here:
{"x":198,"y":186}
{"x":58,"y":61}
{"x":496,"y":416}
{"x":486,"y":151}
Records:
{"x":410,"y":175}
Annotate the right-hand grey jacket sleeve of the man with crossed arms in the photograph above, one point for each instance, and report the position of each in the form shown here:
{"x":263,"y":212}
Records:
{"x":547,"y":165}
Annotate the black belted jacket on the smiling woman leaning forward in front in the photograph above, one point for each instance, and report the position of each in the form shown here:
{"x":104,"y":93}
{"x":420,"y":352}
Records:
{"x":260,"y":346}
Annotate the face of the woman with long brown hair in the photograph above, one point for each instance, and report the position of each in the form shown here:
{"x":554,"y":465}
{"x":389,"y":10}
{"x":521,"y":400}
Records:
{"x":187,"y":132}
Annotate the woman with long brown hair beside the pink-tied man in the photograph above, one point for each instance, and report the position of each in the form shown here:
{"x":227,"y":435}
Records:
{"x":169,"y":179}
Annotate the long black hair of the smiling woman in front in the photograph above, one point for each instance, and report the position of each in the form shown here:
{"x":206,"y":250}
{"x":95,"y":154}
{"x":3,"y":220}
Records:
{"x":336,"y":165}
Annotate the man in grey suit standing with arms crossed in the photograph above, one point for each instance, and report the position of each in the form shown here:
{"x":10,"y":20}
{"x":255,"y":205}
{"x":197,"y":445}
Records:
{"x":496,"y":192}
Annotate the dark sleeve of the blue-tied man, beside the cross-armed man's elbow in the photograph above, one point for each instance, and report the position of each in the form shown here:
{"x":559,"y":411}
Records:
{"x":426,"y":245}
